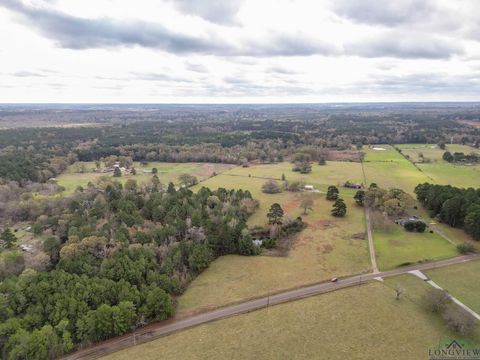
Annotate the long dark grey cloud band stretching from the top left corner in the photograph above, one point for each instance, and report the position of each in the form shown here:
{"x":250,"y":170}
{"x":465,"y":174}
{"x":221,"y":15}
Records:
{"x":80,"y":33}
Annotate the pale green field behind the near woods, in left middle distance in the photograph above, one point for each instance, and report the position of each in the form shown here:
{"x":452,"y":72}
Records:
{"x":167,"y":172}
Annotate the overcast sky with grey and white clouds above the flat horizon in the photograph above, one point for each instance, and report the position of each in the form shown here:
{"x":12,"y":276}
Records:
{"x":232,"y":51}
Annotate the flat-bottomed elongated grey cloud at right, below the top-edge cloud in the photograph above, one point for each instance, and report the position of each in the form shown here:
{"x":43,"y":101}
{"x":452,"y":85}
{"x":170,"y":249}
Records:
{"x":405,"y":45}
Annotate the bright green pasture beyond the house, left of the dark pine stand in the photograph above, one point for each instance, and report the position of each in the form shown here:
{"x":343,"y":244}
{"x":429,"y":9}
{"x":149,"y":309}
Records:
{"x":389,"y":169}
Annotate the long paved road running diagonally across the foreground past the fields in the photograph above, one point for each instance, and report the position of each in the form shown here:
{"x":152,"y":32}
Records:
{"x":169,"y":326}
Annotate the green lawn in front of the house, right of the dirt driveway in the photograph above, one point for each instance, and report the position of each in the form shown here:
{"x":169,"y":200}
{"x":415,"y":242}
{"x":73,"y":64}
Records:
{"x":399,"y":246}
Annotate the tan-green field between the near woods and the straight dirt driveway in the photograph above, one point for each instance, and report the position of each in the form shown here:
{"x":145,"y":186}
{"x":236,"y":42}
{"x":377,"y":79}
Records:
{"x":327,"y":247}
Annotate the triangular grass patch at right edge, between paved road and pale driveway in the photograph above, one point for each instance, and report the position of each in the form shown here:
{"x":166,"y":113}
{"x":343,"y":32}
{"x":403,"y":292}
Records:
{"x":462,"y":281}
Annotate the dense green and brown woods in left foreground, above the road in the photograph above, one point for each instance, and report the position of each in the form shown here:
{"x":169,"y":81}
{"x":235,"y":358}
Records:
{"x":116,"y":261}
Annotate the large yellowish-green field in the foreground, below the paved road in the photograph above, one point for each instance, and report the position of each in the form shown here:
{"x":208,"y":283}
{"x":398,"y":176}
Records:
{"x":364,"y":322}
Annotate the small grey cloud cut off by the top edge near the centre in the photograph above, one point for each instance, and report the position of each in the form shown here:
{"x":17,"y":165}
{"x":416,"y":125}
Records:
{"x":217,"y":11}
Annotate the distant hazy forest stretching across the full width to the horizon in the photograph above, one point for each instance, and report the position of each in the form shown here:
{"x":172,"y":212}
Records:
{"x":227,"y":134}
